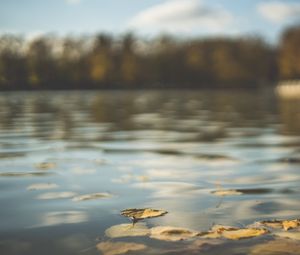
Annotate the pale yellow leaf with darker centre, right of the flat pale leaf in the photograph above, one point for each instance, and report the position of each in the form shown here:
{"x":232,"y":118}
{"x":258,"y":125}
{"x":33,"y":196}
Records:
{"x":172,"y":233}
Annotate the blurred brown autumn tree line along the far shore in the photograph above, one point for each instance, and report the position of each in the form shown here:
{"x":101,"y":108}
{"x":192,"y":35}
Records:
{"x":127,"y":62}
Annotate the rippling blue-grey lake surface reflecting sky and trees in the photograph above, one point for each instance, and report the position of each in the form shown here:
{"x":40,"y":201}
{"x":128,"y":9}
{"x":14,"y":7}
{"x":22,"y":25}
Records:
{"x":160,"y":149}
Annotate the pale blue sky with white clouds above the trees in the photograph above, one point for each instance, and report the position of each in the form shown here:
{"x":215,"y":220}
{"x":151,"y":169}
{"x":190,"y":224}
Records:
{"x":183,"y":18}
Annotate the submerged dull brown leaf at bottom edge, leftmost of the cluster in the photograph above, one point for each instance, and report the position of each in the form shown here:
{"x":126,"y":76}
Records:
{"x":115,"y":248}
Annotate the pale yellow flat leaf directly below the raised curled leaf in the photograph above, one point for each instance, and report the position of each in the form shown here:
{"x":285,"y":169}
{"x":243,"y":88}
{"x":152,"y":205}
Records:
{"x":124,"y":230}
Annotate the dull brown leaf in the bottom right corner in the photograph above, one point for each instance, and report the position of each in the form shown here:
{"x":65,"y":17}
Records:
{"x":277,"y":246}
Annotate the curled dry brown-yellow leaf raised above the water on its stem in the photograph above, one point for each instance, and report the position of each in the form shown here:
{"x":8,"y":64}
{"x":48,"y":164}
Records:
{"x":140,"y":214}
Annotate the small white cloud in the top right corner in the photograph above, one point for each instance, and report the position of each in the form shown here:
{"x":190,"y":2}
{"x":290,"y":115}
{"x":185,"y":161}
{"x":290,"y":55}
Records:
{"x":278,"y":12}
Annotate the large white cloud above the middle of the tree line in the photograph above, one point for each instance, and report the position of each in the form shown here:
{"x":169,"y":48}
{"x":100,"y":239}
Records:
{"x":182,"y":16}
